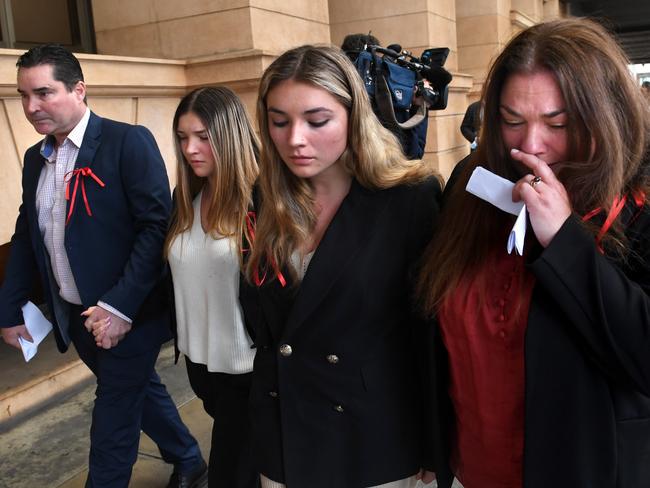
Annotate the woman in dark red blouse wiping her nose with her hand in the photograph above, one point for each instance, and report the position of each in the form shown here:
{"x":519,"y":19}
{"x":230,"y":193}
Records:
{"x":549,"y":352}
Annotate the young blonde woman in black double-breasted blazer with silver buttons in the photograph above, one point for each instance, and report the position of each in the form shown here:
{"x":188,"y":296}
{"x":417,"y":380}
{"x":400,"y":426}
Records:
{"x":343,"y":218}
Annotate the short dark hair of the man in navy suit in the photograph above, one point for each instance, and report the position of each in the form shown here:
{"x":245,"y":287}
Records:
{"x":65,"y":66}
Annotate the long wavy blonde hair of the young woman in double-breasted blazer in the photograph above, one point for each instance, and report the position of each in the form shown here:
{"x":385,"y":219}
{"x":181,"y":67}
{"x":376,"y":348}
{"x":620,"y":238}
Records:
{"x":373,"y":155}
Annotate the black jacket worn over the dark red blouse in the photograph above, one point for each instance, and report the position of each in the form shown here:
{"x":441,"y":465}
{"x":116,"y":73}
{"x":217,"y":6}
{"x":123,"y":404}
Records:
{"x":587,"y":362}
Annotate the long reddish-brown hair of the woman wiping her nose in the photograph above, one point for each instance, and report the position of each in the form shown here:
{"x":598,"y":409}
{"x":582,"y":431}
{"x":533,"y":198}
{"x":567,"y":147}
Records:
{"x":609,"y":133}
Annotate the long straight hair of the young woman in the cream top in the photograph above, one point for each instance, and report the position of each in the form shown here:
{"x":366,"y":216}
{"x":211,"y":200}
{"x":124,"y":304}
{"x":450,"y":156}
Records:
{"x":235,"y":148}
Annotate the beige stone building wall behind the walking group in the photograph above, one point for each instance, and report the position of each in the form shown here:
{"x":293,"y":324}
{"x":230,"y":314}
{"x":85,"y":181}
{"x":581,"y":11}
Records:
{"x":194,"y":43}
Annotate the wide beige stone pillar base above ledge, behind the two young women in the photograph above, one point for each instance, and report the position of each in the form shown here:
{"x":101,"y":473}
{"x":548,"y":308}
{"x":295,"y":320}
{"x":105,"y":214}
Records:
{"x":194,"y":28}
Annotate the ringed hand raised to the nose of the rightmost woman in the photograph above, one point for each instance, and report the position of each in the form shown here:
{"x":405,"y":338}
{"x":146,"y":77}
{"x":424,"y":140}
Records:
{"x":545,"y":197}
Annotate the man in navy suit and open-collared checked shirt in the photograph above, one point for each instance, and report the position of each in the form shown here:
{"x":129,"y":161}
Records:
{"x":91,"y":224}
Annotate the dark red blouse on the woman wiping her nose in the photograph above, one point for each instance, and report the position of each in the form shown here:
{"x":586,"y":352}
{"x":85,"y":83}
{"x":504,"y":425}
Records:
{"x":485,"y":341}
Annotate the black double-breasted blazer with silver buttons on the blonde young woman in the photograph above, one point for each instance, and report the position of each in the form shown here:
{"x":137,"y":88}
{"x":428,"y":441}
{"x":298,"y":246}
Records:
{"x":336,"y":398}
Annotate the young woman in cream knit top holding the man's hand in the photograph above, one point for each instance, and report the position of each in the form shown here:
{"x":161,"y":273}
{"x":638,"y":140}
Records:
{"x":216,"y":149}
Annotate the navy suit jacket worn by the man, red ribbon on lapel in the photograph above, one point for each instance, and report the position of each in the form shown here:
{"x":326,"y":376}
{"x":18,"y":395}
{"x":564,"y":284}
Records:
{"x":116,"y":254}
